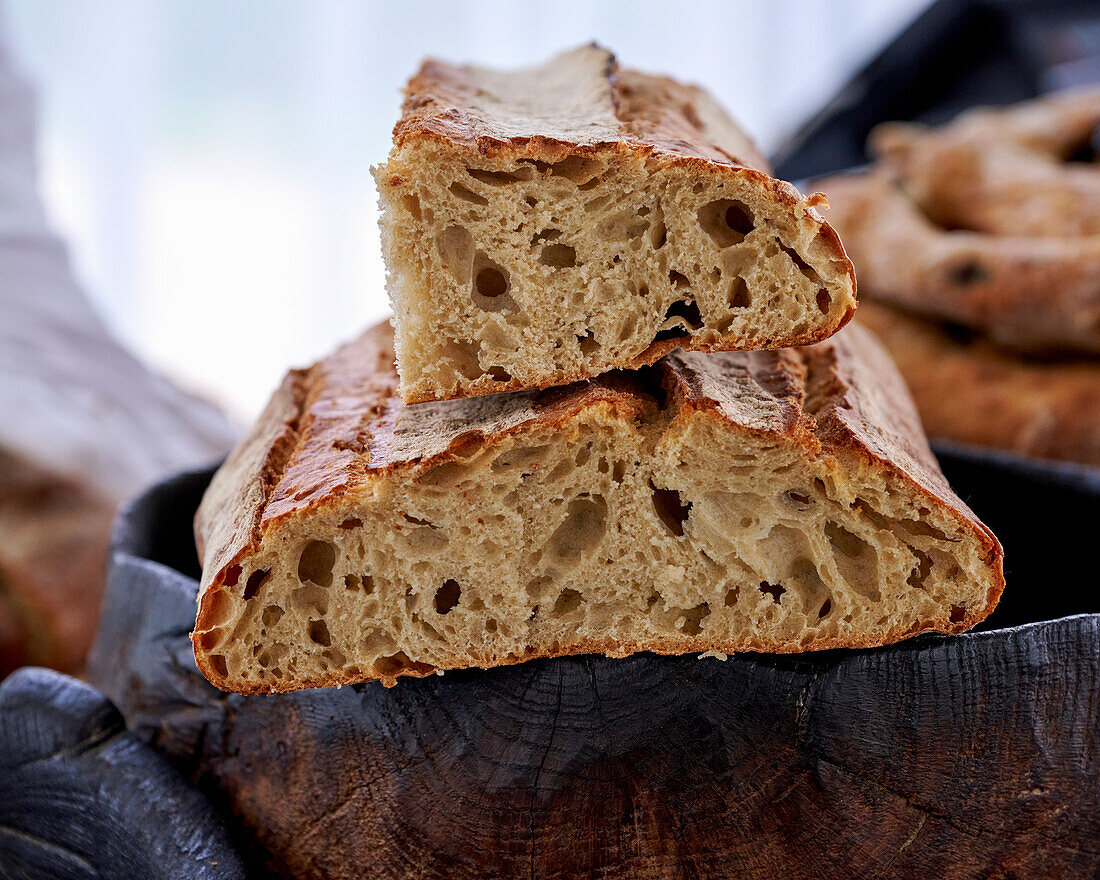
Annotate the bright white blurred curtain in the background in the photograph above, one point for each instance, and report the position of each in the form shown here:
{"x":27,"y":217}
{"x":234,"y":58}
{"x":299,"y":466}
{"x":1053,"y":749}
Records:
{"x":210,"y":161}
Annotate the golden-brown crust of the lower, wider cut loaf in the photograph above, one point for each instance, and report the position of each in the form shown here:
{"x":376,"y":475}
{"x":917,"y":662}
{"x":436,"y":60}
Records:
{"x":337,"y":428}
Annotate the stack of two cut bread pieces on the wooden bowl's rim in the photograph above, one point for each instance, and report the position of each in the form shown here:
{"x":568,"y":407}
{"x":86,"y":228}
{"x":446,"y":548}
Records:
{"x":622,"y":417}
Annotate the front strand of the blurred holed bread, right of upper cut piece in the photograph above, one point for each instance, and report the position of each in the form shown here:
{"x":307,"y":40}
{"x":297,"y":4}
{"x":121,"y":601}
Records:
{"x":1029,"y":293}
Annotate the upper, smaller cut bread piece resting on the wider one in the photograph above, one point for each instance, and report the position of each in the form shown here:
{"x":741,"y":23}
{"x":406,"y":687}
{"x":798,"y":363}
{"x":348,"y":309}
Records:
{"x":549,"y":225}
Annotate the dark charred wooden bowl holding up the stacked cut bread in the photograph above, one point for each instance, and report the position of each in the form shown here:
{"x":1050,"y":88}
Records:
{"x":971,"y":756}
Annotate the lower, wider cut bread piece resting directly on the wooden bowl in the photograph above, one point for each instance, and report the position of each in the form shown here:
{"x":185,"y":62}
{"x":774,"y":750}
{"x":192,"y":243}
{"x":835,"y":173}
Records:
{"x":780,"y":501}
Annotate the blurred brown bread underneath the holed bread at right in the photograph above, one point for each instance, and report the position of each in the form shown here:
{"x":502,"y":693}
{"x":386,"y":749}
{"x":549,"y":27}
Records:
{"x":970,"y":390}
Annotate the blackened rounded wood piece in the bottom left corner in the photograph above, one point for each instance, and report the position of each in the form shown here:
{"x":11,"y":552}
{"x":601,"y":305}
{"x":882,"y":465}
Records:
{"x":61,"y":742}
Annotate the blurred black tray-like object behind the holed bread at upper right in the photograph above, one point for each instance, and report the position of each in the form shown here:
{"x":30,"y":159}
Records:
{"x":956,"y":54}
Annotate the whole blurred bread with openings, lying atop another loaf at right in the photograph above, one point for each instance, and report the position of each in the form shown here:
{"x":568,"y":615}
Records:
{"x":992,"y":222}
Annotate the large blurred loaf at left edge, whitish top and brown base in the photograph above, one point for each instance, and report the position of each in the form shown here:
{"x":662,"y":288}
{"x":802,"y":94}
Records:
{"x":84,"y":424}
